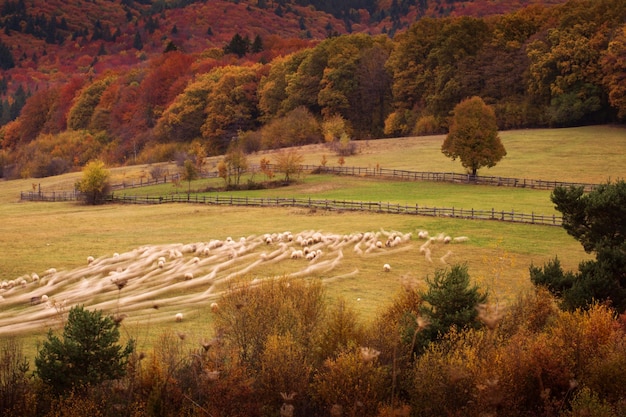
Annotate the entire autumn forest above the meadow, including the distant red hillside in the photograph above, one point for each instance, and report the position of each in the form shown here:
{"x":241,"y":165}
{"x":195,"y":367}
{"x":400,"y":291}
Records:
{"x":144,"y":80}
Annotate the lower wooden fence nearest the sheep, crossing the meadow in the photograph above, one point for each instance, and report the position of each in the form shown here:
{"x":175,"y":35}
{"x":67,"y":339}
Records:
{"x":344,"y":205}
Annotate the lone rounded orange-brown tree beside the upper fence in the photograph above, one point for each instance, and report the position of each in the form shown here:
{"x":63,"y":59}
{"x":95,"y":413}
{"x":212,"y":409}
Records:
{"x":473,"y":136}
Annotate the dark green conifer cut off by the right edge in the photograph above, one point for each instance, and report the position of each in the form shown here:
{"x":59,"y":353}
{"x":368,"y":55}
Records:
{"x":598,"y":221}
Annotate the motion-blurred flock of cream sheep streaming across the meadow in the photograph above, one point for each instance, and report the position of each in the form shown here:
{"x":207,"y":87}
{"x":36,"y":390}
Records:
{"x":159,"y":282}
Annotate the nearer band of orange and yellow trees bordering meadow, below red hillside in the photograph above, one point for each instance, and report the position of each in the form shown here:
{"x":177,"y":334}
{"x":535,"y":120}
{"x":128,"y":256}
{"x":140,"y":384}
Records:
{"x":535,"y":67}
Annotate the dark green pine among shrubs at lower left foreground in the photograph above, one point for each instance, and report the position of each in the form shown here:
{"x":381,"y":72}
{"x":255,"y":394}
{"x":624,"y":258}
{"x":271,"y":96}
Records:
{"x":88,"y":353}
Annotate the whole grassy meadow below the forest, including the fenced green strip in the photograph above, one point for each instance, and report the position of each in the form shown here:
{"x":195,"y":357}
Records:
{"x":38,"y":236}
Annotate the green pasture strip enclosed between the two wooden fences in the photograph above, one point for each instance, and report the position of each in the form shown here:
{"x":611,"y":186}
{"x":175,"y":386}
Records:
{"x":422,"y":193}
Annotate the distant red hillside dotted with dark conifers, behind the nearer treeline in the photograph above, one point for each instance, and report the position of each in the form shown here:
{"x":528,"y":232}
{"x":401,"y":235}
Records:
{"x":49,"y":40}
